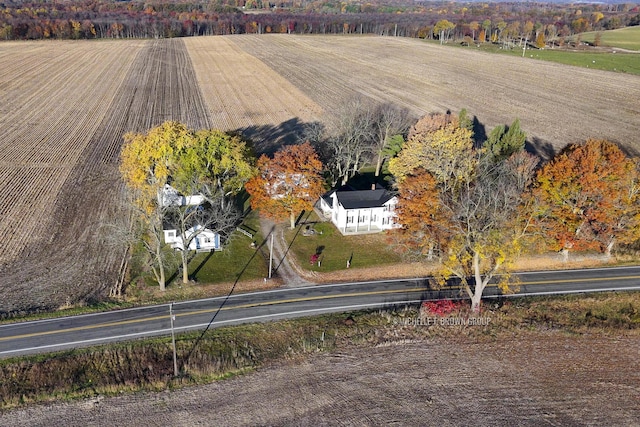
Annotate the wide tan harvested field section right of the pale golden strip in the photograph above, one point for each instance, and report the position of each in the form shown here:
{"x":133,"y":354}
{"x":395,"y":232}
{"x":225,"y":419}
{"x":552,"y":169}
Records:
{"x":556,"y":104}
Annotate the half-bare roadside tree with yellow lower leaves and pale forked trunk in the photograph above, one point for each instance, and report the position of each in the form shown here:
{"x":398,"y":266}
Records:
{"x":487,"y":224}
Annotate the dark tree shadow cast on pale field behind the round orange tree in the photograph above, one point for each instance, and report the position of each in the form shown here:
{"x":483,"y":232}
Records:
{"x":267,"y":139}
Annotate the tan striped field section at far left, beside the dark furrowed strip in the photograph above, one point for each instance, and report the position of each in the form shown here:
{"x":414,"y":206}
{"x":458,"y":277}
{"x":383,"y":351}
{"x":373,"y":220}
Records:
{"x":52,"y":111}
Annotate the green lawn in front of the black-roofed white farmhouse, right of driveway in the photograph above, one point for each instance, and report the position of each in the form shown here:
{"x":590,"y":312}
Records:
{"x":335,"y":249}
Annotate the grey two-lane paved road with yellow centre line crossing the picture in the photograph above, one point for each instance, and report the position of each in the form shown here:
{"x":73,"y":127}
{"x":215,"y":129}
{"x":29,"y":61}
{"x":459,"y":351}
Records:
{"x":71,"y":332}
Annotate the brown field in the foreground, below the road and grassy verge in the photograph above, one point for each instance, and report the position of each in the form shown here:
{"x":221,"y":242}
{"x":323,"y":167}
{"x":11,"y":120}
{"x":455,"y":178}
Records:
{"x":529,"y":379}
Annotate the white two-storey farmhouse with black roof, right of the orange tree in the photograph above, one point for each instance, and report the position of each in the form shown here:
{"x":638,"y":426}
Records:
{"x":360,"y":211}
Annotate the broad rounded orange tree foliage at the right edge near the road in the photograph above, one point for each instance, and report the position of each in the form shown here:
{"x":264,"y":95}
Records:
{"x":587,"y":198}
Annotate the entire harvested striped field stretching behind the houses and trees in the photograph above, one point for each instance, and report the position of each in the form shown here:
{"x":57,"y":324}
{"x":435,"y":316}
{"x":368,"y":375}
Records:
{"x":64,"y":107}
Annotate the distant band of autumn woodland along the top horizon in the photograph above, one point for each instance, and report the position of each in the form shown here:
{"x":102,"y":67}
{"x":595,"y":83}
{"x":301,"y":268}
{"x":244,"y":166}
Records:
{"x":89,"y":19}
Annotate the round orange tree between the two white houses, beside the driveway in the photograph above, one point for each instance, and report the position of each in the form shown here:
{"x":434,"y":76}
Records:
{"x":288,"y":184}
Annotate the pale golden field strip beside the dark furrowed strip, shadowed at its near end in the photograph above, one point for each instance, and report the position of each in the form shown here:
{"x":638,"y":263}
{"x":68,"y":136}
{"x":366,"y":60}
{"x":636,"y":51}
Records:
{"x":245,"y":95}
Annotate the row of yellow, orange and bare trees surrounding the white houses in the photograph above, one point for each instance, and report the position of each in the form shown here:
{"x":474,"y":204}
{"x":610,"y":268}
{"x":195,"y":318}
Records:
{"x":472,"y":202}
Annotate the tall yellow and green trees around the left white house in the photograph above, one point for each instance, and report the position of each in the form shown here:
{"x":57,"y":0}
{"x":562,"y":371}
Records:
{"x":209,"y":163}
